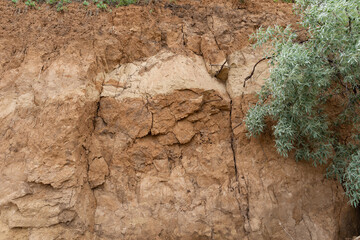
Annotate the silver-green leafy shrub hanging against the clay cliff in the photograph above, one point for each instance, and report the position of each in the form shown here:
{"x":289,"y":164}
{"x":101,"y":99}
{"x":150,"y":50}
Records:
{"x":306,"y":76}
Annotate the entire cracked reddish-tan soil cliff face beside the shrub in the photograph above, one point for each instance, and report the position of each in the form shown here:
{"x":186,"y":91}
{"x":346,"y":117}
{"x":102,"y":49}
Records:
{"x":114,"y":126}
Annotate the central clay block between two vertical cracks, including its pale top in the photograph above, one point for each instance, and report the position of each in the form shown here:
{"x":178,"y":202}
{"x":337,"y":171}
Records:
{"x":172,"y":172}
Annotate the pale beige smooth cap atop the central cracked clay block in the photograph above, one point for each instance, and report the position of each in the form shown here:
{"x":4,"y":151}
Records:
{"x":160,"y":74}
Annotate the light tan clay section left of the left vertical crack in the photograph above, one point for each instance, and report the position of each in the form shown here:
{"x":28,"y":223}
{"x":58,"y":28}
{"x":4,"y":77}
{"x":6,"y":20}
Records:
{"x":43,"y":165}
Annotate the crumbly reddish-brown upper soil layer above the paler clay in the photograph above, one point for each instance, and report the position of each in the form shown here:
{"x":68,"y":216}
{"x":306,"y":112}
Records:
{"x":133,"y":32}
